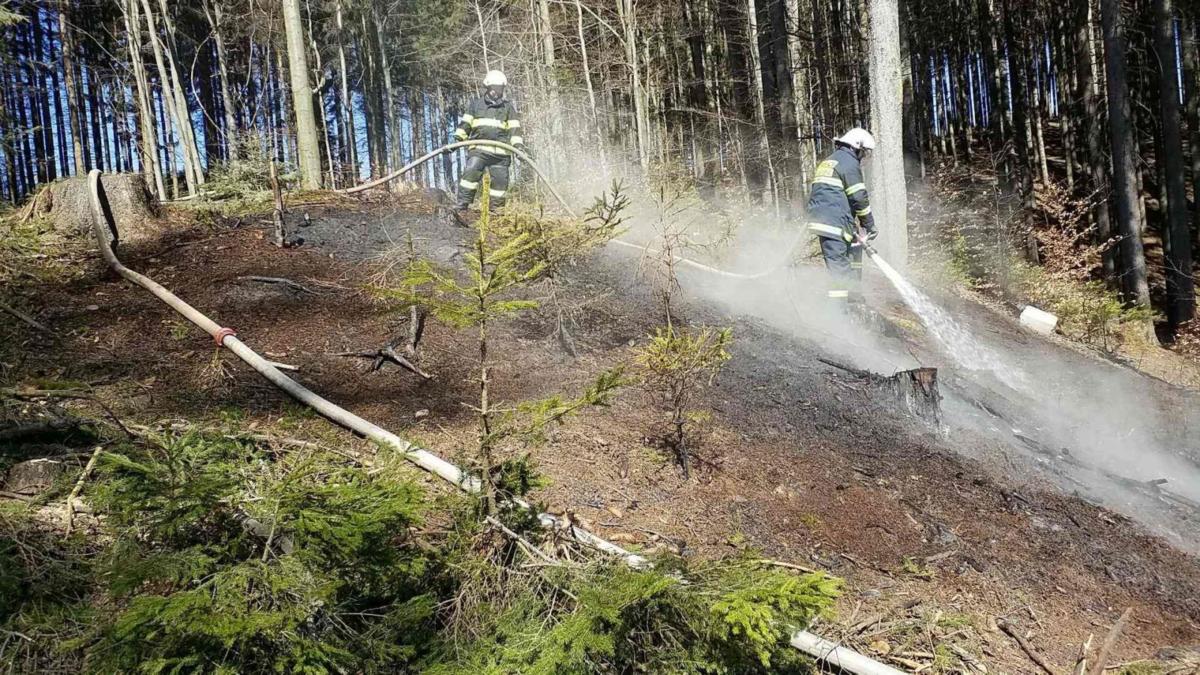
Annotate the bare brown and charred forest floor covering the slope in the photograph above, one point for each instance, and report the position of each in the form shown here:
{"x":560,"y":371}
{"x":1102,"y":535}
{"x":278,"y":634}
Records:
{"x":940,"y":534}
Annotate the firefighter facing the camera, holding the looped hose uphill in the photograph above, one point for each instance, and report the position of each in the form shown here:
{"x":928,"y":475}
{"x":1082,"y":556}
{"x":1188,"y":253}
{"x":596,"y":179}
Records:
{"x":489,"y":118}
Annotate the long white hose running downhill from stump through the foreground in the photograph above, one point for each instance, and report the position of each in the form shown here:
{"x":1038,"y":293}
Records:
{"x":104,"y":226}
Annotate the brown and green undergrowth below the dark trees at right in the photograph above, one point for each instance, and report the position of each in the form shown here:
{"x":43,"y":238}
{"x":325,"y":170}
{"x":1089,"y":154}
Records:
{"x":968,"y":235}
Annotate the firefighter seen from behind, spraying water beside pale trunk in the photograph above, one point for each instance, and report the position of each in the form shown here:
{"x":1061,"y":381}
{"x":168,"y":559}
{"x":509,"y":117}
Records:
{"x":839,"y":211}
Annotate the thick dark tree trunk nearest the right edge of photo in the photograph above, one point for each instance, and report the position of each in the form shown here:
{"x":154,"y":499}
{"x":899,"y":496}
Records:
{"x":1180,"y":285}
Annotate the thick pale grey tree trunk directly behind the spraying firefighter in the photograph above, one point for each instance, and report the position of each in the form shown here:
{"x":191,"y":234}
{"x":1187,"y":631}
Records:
{"x":890,"y":200}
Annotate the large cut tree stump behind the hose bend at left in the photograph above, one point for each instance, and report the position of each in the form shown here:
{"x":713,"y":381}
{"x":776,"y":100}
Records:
{"x":68,"y":205}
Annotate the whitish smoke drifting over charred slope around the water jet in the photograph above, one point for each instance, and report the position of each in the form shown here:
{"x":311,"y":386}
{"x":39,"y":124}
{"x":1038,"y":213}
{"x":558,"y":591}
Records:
{"x":1089,"y":426}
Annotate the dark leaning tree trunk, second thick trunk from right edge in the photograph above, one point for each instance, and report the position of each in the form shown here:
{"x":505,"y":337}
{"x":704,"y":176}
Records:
{"x":1125,"y":177}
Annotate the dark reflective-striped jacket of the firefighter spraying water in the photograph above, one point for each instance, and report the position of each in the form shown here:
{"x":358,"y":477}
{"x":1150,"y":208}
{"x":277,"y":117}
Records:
{"x":839,"y":199}
